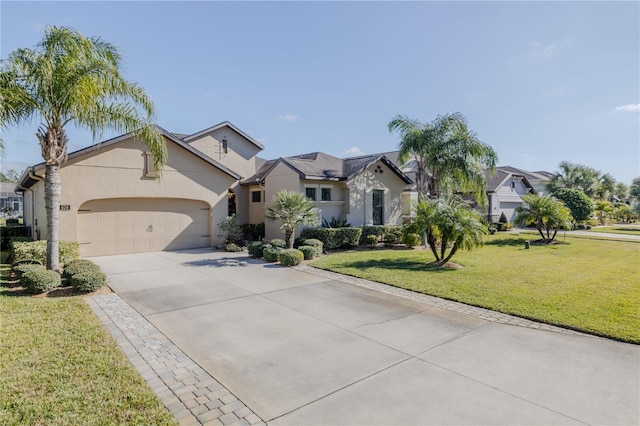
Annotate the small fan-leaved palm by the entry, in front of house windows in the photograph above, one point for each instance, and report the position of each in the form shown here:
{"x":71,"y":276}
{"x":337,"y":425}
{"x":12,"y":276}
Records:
{"x":293,"y":209}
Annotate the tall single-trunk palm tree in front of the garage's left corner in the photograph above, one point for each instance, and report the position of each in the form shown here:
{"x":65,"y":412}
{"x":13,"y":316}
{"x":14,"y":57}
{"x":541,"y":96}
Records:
{"x":69,"y":78}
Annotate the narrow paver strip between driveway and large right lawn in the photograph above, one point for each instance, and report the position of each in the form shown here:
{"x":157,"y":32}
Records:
{"x":485,"y":314}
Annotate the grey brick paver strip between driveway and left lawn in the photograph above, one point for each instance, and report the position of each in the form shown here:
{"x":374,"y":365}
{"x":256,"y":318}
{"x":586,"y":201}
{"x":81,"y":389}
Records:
{"x":187,"y":390}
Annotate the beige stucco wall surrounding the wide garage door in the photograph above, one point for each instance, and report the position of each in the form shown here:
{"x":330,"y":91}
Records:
{"x":117,"y":171}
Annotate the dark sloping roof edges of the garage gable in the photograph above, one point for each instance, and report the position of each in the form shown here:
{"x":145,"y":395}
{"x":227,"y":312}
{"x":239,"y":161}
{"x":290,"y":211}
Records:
{"x":26,"y":181}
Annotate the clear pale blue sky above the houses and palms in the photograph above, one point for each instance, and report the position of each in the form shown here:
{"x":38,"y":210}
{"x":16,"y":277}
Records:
{"x":541,"y":82}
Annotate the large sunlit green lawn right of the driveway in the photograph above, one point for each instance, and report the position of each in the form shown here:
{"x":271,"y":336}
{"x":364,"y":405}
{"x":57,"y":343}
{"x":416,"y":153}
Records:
{"x":586,"y":285}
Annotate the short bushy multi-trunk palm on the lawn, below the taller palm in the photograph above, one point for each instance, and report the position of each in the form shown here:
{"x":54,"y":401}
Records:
{"x":449,"y":225}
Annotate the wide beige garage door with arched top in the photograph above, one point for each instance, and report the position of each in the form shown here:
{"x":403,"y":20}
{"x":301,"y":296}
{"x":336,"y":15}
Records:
{"x":117,"y":226}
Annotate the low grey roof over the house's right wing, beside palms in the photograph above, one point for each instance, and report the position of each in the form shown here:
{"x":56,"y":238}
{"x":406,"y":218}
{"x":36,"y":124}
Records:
{"x":321,"y":166}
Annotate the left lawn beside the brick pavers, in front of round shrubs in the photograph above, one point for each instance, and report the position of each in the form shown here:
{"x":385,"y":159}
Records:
{"x":59,"y":365}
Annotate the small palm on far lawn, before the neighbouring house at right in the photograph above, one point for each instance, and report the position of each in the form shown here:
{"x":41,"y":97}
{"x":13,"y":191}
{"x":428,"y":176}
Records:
{"x":547,"y":214}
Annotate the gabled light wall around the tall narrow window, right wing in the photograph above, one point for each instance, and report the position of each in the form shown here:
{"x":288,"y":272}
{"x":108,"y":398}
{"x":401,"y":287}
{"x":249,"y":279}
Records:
{"x":360,"y":192}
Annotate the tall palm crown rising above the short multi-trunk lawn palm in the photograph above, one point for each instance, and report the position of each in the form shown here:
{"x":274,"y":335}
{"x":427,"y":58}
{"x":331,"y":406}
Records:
{"x":449,"y":157}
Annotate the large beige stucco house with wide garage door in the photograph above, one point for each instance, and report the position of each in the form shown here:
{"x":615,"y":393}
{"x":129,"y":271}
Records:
{"x":112,"y":201}
